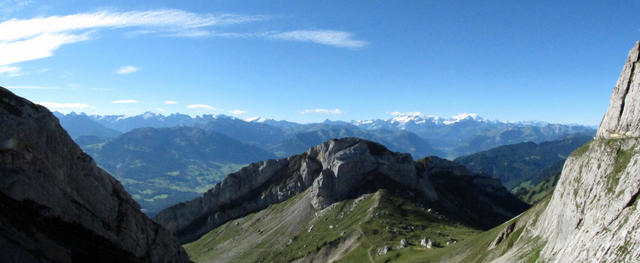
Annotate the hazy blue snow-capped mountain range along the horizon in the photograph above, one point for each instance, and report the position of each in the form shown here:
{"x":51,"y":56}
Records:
{"x":417,"y":134}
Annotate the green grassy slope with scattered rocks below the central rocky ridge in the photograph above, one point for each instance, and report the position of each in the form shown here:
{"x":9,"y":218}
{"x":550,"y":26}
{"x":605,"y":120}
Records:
{"x":348,"y":231}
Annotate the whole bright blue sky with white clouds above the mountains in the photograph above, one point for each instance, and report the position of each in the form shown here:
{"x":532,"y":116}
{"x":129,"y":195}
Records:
{"x":308,"y":61}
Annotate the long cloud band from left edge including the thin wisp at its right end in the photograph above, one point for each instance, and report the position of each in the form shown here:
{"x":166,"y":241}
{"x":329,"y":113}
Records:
{"x":36,"y":38}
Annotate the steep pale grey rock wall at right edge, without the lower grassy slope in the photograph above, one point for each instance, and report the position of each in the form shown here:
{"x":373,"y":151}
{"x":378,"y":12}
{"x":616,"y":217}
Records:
{"x":593,"y":215}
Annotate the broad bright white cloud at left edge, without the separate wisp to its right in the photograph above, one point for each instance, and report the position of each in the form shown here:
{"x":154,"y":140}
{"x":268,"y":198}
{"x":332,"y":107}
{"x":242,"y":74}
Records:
{"x":29,"y":39}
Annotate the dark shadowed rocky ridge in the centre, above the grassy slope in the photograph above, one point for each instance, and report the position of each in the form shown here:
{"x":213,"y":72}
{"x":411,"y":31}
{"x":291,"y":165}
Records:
{"x":340,"y":169}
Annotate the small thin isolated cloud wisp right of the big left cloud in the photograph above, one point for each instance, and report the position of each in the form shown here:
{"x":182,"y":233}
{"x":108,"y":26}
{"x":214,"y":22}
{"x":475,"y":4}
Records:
{"x":324,"y":37}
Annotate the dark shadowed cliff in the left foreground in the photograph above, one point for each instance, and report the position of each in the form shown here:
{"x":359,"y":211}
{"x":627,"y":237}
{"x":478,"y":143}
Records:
{"x":58,"y":206}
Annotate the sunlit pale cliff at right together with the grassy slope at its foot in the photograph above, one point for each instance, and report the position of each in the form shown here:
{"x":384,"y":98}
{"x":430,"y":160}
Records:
{"x":592,"y":215}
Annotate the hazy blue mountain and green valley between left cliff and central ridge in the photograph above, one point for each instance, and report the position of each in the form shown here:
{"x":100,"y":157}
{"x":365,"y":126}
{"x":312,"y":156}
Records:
{"x":161,"y":167}
